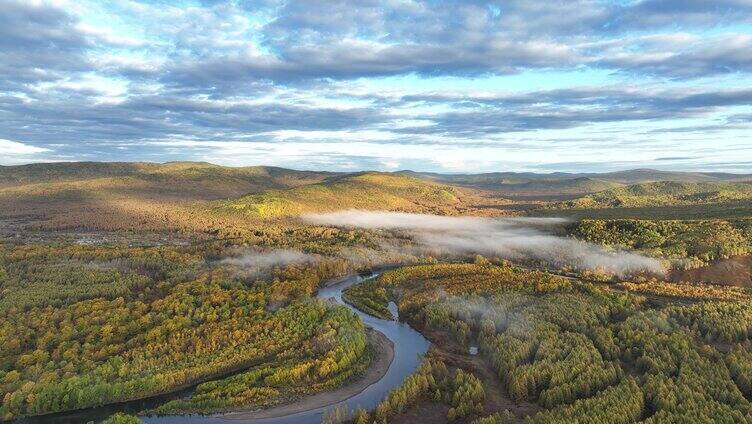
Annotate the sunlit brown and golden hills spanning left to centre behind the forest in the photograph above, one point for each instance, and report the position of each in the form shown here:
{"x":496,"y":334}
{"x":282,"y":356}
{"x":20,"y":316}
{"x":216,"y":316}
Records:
{"x":204,"y":199}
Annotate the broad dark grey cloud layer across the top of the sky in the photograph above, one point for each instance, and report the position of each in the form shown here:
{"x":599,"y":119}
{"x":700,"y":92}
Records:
{"x":219,"y":45}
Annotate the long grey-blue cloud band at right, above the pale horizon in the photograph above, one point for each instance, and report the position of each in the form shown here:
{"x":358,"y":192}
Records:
{"x":480,"y":113}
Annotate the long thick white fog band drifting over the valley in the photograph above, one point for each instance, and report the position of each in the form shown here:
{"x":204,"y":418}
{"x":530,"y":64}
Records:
{"x":509,"y":238}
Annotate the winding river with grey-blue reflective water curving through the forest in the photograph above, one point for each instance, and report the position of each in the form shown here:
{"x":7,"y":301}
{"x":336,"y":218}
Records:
{"x":408,"y":346}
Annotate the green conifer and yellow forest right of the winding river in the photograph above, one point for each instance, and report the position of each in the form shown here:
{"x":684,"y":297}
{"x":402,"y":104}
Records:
{"x":584,"y":353}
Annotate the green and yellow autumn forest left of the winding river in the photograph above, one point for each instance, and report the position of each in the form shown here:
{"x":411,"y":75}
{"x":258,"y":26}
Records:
{"x":84,"y":326}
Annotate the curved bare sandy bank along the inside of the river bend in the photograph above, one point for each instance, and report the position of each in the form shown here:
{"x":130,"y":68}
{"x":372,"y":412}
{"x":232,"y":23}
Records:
{"x":383,"y":357}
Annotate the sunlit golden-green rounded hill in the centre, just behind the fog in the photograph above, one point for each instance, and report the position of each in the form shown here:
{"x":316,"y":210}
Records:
{"x":368,"y":190}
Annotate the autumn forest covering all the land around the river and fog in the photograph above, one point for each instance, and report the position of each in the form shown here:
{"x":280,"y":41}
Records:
{"x":112,"y":290}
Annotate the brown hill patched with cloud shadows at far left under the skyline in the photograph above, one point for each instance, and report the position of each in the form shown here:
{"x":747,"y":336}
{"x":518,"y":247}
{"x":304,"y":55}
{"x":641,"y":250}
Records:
{"x":131,"y":196}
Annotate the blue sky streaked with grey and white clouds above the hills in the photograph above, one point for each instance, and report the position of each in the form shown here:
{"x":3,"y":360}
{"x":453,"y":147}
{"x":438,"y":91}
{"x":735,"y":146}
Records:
{"x":439,"y":85}
